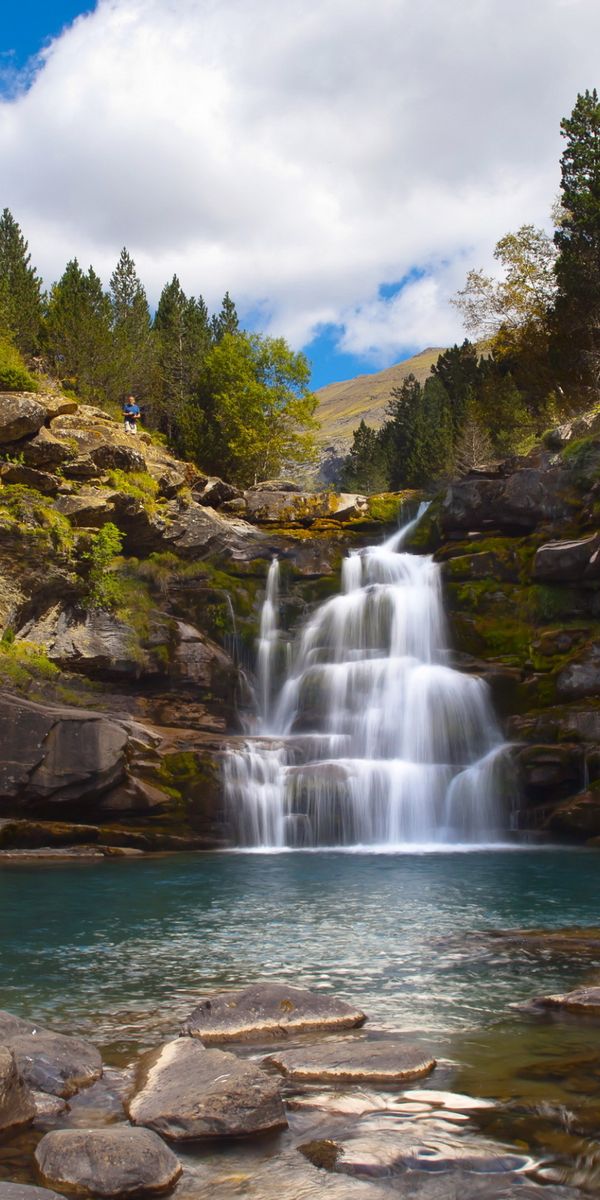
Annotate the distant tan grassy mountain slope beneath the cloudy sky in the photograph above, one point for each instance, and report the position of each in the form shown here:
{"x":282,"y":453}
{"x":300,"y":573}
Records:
{"x":344,"y":405}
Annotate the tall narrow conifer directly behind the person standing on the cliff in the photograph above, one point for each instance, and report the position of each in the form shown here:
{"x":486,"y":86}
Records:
{"x":133,"y":337}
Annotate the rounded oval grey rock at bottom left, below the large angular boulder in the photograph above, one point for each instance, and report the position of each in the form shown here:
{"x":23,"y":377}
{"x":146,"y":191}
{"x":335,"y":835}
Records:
{"x":117,"y":1162}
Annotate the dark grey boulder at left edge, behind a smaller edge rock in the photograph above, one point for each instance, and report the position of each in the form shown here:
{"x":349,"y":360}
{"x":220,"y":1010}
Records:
{"x":47,"y":1061}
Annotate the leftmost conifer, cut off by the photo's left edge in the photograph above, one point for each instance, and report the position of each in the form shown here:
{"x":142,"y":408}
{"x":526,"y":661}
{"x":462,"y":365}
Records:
{"x":21,"y":302}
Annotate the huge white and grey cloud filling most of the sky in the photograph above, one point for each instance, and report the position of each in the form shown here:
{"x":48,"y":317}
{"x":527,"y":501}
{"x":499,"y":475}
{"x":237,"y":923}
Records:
{"x":301,"y":155}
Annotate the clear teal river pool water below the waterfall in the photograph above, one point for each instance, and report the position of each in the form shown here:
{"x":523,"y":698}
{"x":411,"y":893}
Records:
{"x":121,"y":951}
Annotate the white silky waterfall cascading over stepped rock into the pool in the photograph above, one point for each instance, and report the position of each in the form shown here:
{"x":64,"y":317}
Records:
{"x":371,"y":740}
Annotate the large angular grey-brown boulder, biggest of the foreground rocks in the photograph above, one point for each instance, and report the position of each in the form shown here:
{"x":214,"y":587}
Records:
{"x":189,"y":1093}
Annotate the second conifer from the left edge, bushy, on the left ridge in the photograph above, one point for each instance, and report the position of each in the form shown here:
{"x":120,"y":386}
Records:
{"x":79,"y":333}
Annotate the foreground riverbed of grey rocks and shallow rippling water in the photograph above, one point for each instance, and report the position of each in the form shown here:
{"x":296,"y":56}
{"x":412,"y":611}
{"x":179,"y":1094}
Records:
{"x":358,"y":1113}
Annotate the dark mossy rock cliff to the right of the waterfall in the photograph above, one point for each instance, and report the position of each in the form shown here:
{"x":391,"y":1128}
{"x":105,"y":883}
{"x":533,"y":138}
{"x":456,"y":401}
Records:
{"x":520,"y":548}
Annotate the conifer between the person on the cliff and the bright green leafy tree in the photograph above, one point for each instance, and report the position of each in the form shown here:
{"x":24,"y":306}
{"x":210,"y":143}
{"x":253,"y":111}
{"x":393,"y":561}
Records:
{"x":183,"y":340}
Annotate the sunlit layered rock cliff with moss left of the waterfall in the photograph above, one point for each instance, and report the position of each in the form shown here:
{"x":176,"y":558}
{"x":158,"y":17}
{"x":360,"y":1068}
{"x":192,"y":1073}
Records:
{"x":113,"y":715}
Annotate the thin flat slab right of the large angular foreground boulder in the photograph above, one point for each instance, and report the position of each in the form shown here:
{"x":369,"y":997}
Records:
{"x":362,"y":1063}
